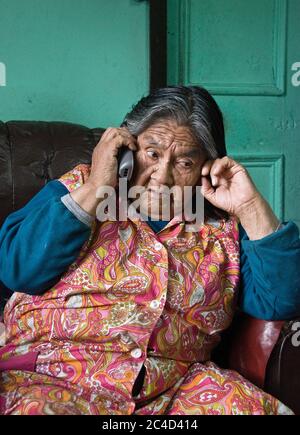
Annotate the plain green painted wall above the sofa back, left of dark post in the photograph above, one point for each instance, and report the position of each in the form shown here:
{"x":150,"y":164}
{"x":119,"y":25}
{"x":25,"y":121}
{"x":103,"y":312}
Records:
{"x":82,"y":61}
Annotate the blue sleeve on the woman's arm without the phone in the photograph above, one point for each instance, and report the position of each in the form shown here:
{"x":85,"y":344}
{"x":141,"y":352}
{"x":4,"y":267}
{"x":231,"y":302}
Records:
{"x":270,"y":274}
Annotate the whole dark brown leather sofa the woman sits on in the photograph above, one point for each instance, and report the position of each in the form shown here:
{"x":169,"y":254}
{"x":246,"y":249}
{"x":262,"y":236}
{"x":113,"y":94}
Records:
{"x":32,"y":153}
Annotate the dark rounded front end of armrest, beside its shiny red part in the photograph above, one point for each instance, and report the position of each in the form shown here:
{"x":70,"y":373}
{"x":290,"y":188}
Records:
{"x":283,"y":369}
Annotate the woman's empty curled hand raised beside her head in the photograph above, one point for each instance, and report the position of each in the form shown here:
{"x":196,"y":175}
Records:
{"x":230,"y":187}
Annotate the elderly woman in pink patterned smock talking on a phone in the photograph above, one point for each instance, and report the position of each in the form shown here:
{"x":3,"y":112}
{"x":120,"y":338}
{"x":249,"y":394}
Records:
{"x":120,"y":317}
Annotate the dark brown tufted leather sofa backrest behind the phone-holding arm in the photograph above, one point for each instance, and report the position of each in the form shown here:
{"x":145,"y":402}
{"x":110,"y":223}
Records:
{"x":32,"y":153}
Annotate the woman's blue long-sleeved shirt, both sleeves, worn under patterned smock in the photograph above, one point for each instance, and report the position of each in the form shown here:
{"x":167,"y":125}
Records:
{"x":40,"y":241}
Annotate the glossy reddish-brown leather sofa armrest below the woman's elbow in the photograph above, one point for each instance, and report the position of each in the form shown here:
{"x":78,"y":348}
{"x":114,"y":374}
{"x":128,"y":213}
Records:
{"x":266,"y":353}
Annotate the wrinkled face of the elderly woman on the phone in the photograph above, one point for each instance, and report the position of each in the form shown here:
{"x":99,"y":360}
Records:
{"x":167,"y":156}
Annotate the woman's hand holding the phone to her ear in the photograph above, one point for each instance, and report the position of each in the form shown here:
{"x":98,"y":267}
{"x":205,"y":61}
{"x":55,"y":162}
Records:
{"x":104,"y":168}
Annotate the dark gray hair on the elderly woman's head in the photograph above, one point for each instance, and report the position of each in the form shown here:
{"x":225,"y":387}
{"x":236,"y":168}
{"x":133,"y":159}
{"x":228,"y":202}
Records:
{"x":190,"y":106}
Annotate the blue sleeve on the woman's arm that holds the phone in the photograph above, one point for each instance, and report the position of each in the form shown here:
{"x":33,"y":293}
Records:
{"x":40,"y":241}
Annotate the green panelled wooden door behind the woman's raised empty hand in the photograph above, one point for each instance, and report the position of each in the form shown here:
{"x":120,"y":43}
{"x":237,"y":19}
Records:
{"x":247,"y":54}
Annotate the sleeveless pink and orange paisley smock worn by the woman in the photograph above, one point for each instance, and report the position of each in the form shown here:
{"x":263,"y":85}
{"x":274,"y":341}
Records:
{"x":132,"y":298}
